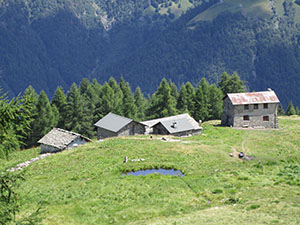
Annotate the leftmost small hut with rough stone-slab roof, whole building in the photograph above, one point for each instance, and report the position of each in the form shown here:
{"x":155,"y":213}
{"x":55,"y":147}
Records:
{"x":58,"y":139}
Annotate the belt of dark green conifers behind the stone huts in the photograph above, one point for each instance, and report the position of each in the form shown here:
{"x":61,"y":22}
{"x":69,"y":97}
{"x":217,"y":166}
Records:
{"x":27,"y":118}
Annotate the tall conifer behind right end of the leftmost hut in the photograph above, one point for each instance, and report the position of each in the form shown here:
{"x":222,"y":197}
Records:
{"x":79,"y":117}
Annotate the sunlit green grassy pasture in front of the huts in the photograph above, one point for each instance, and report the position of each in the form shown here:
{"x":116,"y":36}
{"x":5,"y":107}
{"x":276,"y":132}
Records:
{"x":86,"y":186}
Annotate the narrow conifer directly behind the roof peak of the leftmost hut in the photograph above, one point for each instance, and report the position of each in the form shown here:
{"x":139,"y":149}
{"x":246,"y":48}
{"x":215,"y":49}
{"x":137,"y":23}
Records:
{"x":60,"y":102}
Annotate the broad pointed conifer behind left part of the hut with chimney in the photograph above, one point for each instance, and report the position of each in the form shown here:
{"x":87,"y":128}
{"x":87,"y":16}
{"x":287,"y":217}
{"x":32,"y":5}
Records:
{"x":163,"y":103}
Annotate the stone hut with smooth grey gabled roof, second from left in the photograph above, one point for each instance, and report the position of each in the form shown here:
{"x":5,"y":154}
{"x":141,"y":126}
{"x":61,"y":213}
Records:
{"x":113,"y":125}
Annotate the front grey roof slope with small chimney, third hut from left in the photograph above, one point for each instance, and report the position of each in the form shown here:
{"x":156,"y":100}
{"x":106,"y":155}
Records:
{"x":181,"y":125}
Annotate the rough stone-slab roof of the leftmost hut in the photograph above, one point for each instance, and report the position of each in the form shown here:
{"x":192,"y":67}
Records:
{"x":60,"y":138}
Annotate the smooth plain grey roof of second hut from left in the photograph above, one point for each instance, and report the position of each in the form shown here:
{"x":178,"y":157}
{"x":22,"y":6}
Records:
{"x":113,"y":122}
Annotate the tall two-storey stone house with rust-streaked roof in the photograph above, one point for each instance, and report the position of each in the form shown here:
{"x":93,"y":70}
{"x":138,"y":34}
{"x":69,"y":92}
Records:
{"x":254,"y":109}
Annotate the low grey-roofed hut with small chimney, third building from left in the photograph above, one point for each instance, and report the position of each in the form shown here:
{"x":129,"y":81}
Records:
{"x":179,"y":125}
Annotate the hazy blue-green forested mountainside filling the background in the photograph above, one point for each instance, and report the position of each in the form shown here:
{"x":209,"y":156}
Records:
{"x":50,"y":43}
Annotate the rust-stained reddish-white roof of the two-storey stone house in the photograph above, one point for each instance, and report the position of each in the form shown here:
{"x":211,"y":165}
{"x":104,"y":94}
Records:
{"x":253,"y":98}
